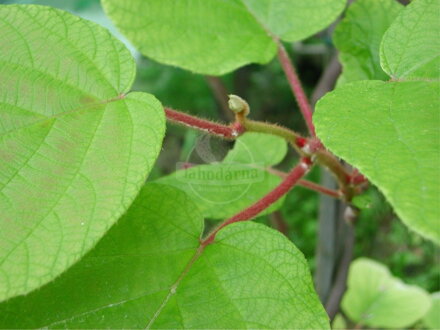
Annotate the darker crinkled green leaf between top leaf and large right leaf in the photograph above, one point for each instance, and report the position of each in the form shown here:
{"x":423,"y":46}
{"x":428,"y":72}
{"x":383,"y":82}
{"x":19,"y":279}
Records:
{"x":358,"y":37}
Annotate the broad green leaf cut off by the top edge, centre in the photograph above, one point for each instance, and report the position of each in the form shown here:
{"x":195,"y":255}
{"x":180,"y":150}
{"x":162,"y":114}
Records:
{"x":217,"y":36}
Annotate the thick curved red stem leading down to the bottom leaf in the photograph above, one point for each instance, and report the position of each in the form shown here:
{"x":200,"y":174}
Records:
{"x":289,"y":181}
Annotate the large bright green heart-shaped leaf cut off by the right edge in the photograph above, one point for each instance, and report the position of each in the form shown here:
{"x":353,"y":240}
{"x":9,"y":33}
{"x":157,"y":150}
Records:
{"x":390,"y":130}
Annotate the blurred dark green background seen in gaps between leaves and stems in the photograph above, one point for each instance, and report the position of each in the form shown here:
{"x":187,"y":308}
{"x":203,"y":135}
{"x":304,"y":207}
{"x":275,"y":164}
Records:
{"x":380,"y":235}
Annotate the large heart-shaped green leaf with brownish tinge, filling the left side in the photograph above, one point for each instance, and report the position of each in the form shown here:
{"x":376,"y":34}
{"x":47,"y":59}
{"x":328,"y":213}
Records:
{"x":74,"y":148}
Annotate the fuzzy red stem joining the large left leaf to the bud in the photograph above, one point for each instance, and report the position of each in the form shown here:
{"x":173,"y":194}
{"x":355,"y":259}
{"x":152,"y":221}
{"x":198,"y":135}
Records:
{"x":223,"y":131}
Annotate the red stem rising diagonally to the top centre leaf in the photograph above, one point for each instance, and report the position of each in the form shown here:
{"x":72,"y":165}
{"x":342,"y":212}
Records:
{"x":295,"y":85}
